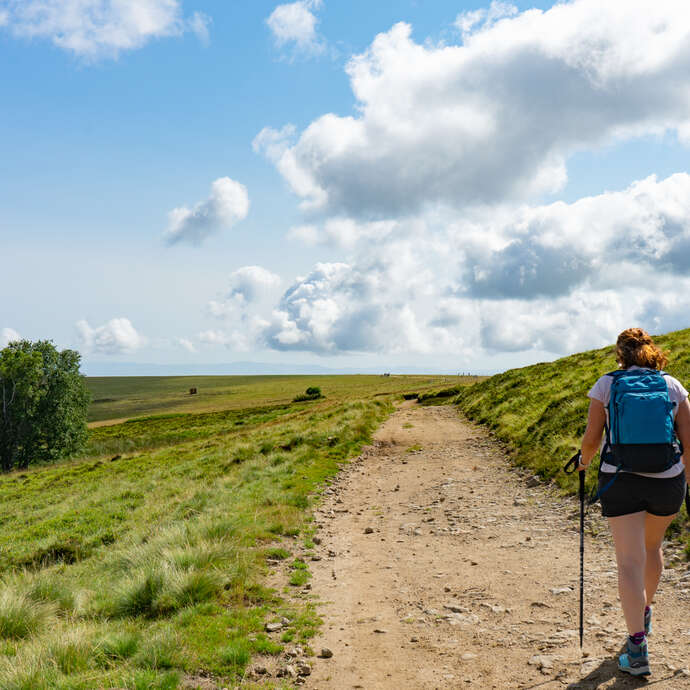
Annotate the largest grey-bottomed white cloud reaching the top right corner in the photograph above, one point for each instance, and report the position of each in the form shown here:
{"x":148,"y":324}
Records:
{"x":496,"y":117}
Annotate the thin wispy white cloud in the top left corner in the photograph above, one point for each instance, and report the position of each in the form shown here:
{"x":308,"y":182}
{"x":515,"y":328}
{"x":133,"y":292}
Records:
{"x":95,"y":29}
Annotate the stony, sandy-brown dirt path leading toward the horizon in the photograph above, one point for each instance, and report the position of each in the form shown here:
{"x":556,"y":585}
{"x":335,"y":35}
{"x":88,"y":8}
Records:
{"x":441,"y":567}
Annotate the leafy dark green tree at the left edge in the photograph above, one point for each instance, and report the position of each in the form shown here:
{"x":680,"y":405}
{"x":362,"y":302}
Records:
{"x":43,"y":404}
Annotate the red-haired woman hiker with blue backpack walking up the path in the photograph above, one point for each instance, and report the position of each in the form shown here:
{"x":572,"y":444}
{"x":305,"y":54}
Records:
{"x":639,"y":505}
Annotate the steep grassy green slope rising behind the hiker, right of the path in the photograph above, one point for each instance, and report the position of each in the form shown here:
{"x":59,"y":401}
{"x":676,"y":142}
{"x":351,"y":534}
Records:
{"x":540,"y":411}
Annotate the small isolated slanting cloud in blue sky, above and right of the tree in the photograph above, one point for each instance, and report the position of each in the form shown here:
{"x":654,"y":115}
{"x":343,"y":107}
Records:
{"x":227,"y":204}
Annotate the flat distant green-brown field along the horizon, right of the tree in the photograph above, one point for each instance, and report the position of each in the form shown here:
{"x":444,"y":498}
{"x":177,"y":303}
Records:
{"x":119,"y":398}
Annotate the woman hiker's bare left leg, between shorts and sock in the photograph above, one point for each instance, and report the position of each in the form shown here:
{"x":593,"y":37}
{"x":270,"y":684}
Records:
{"x":629,"y":538}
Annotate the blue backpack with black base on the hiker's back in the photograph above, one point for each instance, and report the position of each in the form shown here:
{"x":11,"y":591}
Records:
{"x":640,"y":434}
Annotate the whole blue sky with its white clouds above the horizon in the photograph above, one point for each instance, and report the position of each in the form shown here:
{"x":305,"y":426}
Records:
{"x":481,"y":196}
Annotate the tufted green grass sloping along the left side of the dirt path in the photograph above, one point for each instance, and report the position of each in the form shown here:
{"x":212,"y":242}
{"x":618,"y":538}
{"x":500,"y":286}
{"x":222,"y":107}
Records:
{"x":144,"y":563}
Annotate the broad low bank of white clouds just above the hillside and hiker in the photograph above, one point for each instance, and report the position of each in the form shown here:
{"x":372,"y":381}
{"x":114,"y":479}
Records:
{"x":552,"y":278}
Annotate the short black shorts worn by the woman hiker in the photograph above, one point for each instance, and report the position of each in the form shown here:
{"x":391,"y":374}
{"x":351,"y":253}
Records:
{"x":631,"y":493}
